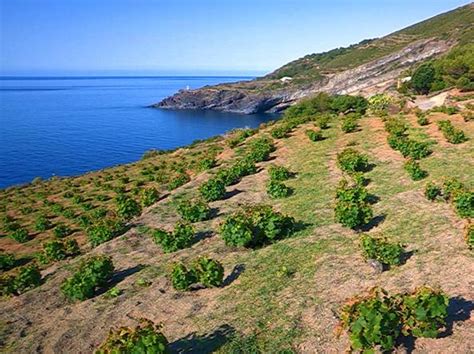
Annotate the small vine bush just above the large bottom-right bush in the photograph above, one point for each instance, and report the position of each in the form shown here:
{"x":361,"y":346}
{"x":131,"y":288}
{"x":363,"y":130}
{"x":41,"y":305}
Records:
{"x":381,"y":250}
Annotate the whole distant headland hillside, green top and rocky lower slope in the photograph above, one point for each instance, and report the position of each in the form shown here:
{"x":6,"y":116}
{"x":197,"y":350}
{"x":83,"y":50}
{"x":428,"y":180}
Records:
{"x":364,"y":68}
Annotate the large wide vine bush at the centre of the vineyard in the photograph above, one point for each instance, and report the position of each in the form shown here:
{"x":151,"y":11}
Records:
{"x":255,"y":226}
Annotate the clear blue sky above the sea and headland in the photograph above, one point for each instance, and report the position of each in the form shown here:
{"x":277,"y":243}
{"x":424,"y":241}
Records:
{"x":189,"y":37}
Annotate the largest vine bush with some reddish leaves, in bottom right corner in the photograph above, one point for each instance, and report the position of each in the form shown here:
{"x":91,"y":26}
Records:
{"x":378,"y":320}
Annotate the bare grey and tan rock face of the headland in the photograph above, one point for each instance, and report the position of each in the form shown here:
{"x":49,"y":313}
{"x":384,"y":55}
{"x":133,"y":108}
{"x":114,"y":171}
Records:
{"x":366,"y":79}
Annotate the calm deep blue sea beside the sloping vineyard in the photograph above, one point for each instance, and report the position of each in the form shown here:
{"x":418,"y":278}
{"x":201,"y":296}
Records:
{"x":68,"y":126}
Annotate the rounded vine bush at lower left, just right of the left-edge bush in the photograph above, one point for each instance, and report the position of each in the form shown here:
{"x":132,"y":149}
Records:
{"x":92,"y":273}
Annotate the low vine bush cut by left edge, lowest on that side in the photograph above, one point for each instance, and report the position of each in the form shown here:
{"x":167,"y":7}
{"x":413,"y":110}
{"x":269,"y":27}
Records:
{"x":26,"y":278}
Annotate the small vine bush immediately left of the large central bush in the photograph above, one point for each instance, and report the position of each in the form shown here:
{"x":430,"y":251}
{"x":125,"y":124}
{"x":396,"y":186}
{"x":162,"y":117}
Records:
{"x":181,"y":237}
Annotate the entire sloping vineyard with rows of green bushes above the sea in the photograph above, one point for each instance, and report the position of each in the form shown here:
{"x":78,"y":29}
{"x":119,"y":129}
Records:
{"x":342,"y":225}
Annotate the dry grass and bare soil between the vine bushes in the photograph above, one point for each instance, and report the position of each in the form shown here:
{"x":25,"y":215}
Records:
{"x":289,"y":291}
